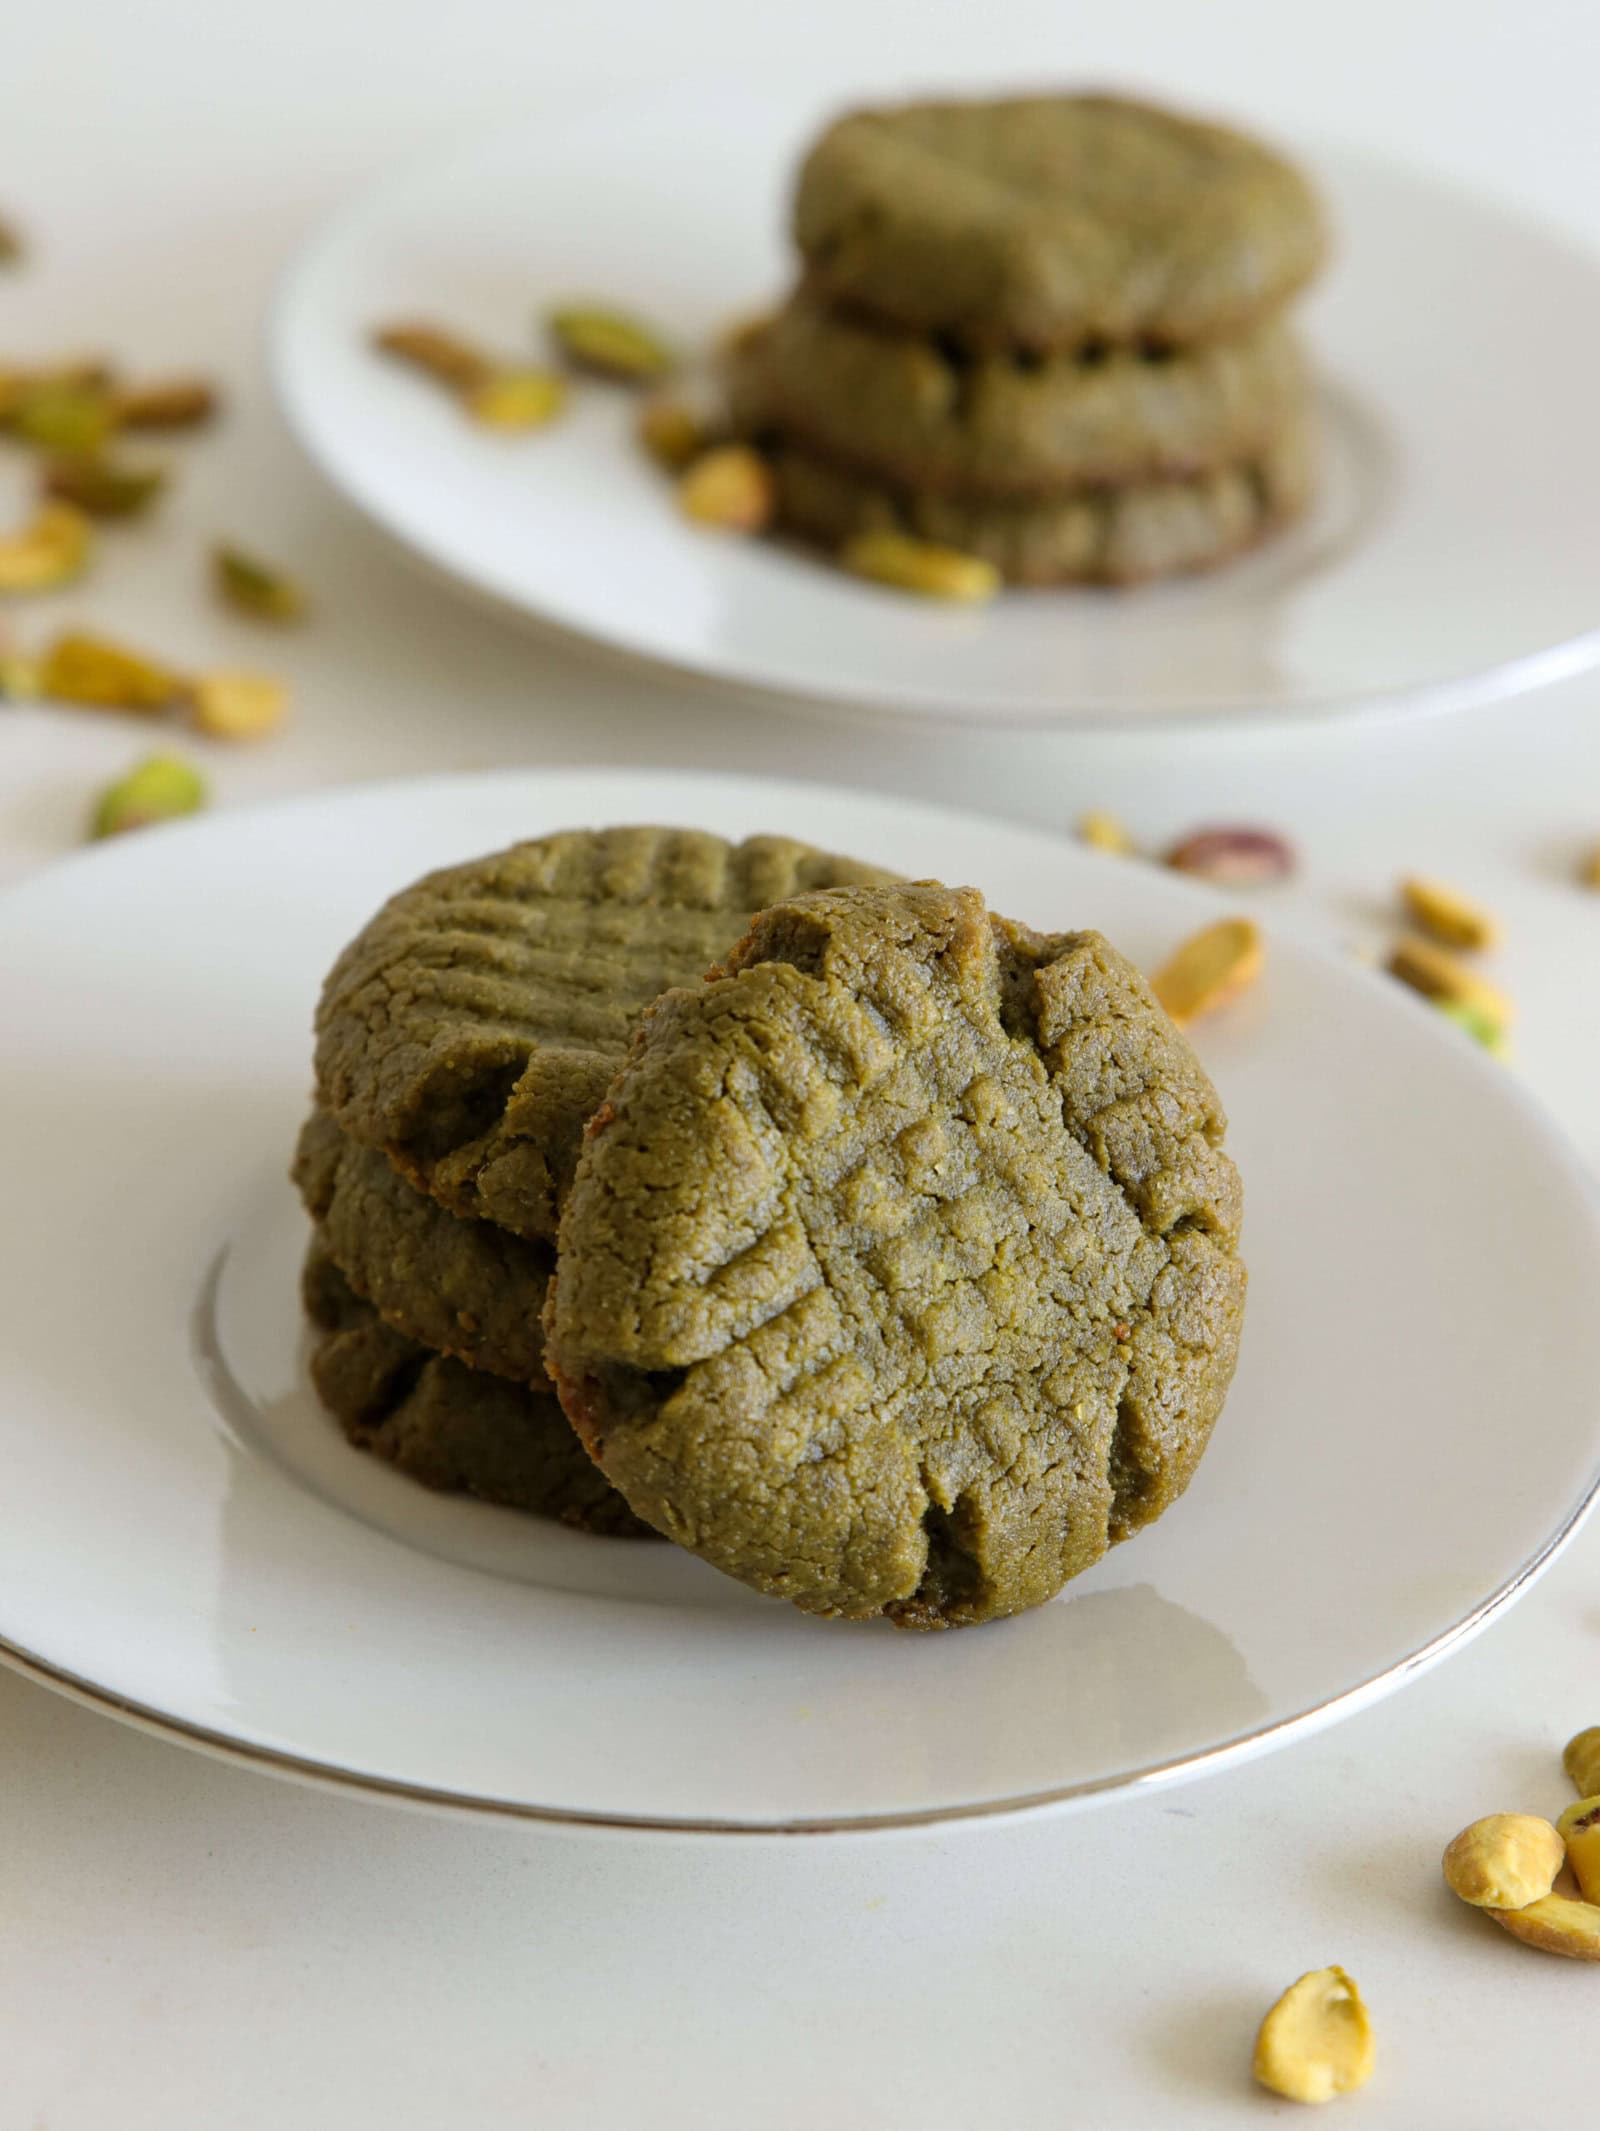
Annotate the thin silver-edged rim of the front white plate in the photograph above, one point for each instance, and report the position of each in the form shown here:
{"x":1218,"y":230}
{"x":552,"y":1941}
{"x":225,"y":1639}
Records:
{"x":1098,"y":1791}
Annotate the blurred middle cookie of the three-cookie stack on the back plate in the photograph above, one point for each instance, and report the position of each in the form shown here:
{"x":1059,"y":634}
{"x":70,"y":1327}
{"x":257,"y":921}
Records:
{"x":924,"y":414}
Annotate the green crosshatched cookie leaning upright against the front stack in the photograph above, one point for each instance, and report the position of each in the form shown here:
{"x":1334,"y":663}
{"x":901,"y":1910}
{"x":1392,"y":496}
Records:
{"x":900,"y":1271}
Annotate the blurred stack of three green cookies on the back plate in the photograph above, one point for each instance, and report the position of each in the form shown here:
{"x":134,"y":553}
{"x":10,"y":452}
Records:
{"x":1045,"y":331}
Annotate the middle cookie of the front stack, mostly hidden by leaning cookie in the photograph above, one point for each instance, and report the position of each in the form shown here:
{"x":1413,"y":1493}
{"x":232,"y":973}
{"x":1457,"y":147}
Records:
{"x":459,"y":1286}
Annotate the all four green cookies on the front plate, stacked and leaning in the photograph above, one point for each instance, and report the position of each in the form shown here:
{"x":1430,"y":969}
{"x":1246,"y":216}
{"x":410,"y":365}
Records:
{"x":881,"y":1250}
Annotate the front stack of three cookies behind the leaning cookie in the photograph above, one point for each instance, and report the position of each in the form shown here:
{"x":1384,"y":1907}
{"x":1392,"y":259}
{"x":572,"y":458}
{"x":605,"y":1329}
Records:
{"x":463,"y":1041}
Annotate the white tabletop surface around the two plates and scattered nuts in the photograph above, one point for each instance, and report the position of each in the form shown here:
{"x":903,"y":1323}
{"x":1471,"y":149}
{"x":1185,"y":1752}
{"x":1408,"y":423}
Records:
{"x":191,"y":1947}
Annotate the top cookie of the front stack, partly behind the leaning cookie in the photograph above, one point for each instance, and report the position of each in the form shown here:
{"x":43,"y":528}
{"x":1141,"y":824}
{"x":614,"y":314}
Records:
{"x":472,"y":1028}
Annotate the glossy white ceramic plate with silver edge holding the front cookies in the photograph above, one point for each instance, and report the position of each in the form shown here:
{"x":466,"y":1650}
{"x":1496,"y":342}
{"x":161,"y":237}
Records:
{"x":184,"y":1538}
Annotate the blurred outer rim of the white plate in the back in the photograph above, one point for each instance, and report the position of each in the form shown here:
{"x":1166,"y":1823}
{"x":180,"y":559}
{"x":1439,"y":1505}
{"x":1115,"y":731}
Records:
{"x":883,"y":704}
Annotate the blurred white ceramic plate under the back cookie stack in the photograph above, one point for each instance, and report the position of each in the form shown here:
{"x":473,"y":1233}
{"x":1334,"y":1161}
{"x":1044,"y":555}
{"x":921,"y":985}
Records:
{"x":1452,"y":557}
